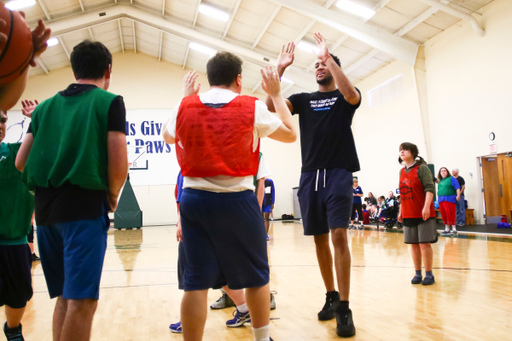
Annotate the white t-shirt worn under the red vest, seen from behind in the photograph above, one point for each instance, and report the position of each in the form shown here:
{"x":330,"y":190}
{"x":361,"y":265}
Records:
{"x":265,"y":123}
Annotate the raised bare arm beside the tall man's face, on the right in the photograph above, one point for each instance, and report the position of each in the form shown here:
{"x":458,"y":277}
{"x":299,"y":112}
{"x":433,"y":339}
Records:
{"x":344,"y":85}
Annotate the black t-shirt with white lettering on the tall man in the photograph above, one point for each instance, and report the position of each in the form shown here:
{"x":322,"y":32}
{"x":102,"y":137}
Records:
{"x":326,"y":138}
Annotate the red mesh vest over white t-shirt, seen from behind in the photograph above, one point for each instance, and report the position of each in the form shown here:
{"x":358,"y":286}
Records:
{"x":216,"y":141}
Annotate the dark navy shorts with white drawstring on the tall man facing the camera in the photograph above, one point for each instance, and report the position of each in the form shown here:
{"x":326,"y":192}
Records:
{"x":325,"y":199}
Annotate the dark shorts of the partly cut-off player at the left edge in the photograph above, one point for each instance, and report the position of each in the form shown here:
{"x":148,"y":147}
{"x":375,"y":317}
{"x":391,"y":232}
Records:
{"x":15,"y":275}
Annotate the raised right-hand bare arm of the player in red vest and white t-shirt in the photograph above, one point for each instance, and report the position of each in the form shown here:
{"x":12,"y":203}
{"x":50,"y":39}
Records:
{"x":287,"y":131}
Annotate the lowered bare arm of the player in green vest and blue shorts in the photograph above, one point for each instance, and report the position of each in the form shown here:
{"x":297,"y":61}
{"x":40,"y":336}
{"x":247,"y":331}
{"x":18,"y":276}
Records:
{"x":117,"y":166}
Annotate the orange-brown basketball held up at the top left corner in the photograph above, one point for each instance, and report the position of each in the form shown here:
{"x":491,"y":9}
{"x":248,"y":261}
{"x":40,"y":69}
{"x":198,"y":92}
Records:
{"x":16,"y":52}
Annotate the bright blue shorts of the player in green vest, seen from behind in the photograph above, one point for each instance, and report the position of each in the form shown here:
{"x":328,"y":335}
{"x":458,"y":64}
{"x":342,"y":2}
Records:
{"x":72,"y":256}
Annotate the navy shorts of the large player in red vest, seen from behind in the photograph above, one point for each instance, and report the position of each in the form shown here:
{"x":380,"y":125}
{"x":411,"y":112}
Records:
{"x":225,"y":240}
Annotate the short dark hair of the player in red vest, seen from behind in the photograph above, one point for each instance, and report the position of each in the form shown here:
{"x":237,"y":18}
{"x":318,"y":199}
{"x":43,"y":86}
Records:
{"x":223,"y":68}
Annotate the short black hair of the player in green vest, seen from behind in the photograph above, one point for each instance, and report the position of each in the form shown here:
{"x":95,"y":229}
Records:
{"x":90,"y":60}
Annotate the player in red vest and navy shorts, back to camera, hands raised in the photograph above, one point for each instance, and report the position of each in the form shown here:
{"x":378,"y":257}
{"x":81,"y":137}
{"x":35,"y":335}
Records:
{"x":217,"y":144}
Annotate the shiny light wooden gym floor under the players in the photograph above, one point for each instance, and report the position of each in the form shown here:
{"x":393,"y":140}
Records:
{"x":471,"y":300}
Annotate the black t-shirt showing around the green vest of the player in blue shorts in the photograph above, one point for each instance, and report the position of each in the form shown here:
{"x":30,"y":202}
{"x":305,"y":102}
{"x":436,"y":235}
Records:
{"x":70,"y":202}
